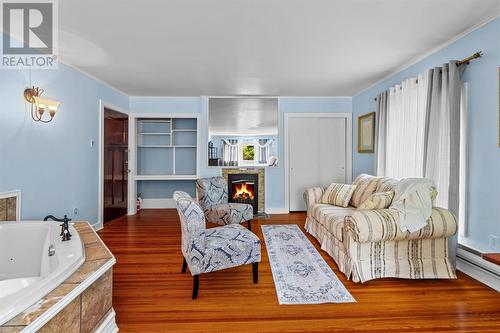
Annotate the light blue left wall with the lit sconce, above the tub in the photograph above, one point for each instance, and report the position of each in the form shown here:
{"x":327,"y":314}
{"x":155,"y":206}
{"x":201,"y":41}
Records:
{"x":53,"y":164}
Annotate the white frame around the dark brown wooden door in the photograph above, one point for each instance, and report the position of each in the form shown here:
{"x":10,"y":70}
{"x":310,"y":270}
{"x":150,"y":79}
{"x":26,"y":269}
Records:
{"x":130,"y":200}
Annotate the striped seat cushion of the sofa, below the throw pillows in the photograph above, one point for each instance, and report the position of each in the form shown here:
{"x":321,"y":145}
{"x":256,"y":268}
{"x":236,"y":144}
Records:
{"x":332,"y":217}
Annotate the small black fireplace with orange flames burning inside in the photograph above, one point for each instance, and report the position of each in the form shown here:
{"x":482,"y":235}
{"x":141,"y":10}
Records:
{"x":244,"y":188}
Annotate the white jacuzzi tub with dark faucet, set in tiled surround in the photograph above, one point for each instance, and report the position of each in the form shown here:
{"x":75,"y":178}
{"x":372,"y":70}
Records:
{"x":27,"y":271}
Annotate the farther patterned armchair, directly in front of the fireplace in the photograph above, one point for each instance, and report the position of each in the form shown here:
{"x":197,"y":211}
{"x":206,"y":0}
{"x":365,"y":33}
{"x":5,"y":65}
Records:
{"x":213,"y":197}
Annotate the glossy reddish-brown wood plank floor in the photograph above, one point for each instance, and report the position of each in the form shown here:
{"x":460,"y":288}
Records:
{"x":151,"y":295}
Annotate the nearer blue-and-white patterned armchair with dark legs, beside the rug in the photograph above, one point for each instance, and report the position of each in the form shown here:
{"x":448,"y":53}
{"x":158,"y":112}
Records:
{"x":214,"y":249}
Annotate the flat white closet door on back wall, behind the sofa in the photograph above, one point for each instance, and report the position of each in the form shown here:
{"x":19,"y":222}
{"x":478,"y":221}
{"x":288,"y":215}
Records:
{"x":317,"y":155}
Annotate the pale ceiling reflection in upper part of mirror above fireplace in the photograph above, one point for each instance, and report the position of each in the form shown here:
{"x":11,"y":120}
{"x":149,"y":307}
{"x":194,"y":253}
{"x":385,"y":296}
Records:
{"x":243,"y":116}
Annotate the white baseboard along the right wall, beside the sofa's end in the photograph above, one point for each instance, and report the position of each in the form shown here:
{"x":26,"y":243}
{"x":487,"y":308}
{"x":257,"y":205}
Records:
{"x":478,"y":268}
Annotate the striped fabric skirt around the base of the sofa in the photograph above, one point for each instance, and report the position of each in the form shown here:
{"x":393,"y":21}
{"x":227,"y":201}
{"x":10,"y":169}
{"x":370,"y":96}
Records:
{"x":407,"y":259}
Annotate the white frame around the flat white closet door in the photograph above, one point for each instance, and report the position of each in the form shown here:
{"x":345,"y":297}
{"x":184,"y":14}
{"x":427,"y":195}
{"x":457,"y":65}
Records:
{"x":348,"y":140}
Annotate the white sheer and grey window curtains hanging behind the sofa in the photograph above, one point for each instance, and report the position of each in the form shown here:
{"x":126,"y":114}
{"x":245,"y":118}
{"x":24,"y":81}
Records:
{"x":424,"y":135}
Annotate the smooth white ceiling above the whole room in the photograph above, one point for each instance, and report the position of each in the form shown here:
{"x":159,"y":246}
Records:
{"x":256,"y":47}
